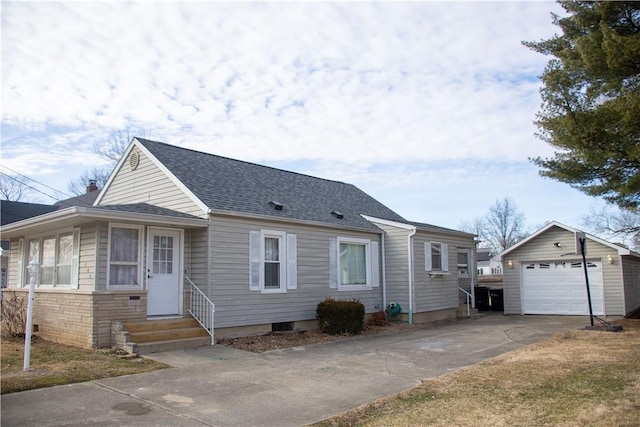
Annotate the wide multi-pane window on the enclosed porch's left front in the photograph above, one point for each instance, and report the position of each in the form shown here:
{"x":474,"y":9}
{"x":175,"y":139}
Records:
{"x":57,"y":256}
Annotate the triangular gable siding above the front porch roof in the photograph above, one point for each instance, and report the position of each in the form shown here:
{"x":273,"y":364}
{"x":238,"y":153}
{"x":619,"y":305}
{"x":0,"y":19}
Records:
{"x":148,"y":182}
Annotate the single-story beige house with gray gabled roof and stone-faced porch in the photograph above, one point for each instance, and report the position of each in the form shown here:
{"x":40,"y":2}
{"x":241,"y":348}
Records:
{"x":172,"y":226}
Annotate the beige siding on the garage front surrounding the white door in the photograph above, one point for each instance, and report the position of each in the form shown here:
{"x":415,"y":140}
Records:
{"x":542,"y":249}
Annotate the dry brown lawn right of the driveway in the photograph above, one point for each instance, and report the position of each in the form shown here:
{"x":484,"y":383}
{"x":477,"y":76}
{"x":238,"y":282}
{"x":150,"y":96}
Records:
{"x":578,"y":378}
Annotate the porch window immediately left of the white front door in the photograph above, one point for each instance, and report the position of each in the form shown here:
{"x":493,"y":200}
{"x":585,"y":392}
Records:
{"x":124,"y":255}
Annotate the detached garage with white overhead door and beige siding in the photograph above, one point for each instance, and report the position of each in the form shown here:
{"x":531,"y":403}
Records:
{"x":544,"y":274}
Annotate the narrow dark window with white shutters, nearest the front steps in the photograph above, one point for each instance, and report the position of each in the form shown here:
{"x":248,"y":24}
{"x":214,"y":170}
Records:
{"x":272,"y":261}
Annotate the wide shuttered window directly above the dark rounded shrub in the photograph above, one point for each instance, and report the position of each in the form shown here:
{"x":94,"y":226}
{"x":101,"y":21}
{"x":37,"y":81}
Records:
{"x":353,"y":264}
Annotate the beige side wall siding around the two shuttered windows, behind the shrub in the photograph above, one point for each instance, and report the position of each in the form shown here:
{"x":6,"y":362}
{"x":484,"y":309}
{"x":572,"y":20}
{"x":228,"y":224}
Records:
{"x":236,"y":305}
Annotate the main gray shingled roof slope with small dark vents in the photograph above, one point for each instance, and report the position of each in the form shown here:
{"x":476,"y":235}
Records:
{"x":229,"y":185}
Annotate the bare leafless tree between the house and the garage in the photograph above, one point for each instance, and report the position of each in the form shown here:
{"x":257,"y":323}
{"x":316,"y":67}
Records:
{"x":504,"y":225}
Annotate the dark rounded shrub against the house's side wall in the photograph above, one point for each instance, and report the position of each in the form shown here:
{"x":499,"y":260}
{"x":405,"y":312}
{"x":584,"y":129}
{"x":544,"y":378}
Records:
{"x":337,"y":317}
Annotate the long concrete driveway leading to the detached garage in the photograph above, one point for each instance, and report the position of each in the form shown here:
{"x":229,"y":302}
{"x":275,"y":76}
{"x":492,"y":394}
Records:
{"x":220,"y":386}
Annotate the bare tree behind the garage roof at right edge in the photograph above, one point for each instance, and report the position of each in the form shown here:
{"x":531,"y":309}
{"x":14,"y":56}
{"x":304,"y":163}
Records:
{"x":624,"y":225}
